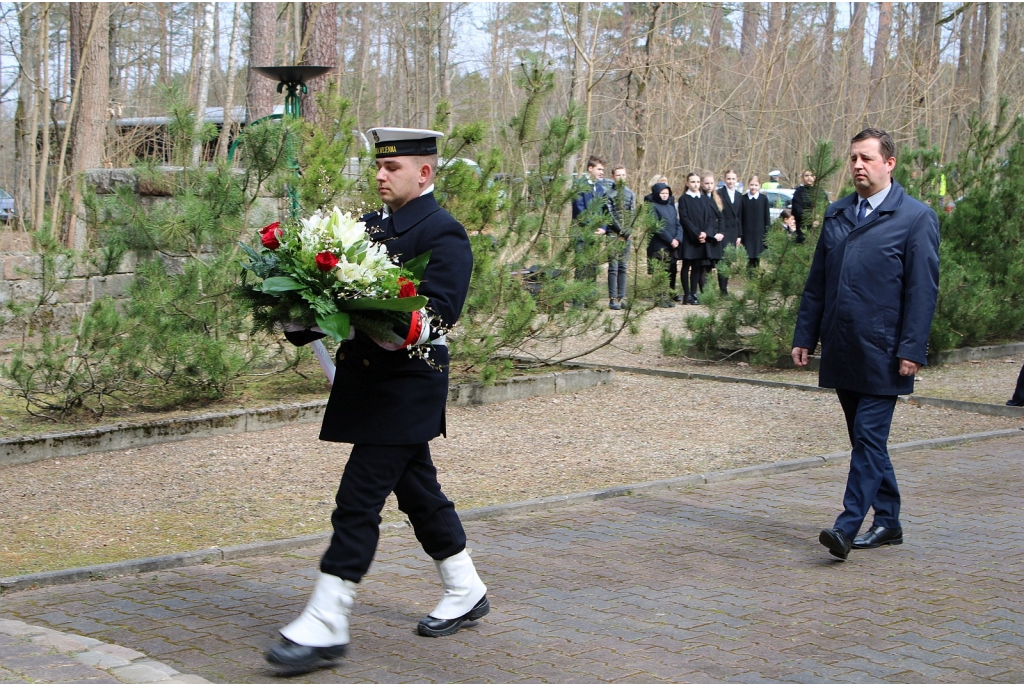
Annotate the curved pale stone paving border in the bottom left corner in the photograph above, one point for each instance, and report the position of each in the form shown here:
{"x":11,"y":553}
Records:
{"x":125,"y":665}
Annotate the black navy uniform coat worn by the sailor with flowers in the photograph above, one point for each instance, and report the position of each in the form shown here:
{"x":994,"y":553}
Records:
{"x":389,"y":398}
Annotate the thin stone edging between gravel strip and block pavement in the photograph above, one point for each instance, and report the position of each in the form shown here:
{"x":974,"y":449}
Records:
{"x":151,"y":565}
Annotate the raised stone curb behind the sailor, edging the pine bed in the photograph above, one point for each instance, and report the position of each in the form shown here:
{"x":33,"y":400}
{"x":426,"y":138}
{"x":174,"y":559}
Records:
{"x":121,"y":437}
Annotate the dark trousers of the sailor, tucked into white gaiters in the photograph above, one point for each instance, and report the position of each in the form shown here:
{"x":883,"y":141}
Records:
{"x":373,"y":473}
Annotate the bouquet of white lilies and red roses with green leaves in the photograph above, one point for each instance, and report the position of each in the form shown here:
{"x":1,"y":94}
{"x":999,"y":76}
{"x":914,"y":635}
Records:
{"x":326,"y":272}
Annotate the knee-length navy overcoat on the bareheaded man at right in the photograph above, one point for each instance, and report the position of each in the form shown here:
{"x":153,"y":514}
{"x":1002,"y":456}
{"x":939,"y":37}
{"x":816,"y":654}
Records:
{"x":871,"y":293}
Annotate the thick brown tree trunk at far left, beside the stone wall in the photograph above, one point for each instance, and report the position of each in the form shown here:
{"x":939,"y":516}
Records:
{"x":90,"y":107}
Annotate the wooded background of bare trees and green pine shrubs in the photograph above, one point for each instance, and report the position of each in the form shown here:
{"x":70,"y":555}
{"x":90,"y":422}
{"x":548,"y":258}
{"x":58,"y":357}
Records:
{"x":529,"y":91}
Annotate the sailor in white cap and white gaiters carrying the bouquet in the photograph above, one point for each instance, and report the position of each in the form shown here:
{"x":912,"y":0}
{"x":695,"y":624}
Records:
{"x":390,"y":404}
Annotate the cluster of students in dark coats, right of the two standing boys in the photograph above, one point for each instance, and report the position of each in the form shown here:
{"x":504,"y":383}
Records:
{"x":696,"y":230}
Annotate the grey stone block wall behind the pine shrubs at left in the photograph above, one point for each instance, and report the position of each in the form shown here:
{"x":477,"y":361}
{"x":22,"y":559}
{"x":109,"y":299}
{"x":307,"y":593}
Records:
{"x":21,"y":265}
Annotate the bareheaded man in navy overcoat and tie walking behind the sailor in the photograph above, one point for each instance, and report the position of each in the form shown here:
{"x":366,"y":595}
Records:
{"x":870,"y":298}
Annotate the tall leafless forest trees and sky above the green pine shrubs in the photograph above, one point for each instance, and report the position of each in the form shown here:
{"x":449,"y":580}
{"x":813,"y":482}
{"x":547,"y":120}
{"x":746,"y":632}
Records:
{"x":665,"y":88}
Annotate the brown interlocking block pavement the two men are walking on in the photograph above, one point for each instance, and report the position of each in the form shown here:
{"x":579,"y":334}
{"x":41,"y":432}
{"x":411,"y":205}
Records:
{"x":721,"y":583}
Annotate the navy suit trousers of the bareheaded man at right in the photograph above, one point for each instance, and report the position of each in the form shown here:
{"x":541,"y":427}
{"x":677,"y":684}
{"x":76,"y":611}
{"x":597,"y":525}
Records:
{"x":872,"y":483}
